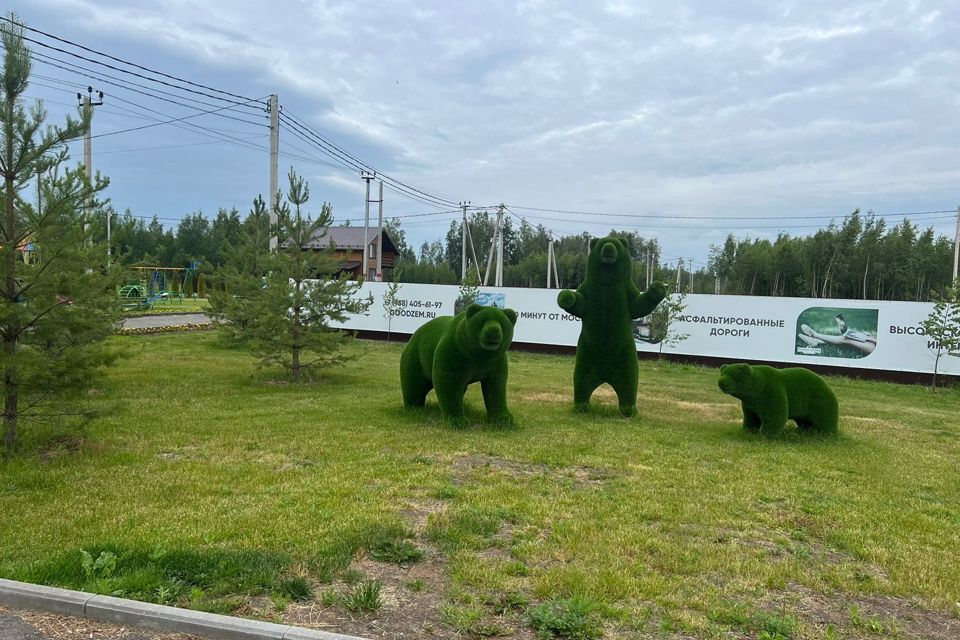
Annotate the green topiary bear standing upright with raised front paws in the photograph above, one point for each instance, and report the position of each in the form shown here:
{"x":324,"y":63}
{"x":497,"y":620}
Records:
{"x":607,"y":302}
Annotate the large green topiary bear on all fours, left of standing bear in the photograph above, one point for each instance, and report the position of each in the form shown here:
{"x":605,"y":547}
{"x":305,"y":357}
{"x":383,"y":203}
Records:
{"x":450,"y":352}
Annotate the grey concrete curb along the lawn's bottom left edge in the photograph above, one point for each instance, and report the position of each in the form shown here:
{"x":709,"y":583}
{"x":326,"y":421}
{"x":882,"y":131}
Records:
{"x":154,"y":616}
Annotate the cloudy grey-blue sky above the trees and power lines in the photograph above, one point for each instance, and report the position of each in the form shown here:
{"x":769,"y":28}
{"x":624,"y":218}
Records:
{"x":696,"y":112}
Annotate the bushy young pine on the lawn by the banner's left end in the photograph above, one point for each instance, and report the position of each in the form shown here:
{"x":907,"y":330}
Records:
{"x":284,"y":300}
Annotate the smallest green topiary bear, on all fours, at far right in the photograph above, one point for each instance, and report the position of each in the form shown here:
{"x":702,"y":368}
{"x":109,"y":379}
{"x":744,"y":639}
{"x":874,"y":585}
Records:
{"x":771,"y":396}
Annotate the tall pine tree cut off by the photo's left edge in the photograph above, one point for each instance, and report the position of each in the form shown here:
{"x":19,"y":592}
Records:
{"x":58,"y":304}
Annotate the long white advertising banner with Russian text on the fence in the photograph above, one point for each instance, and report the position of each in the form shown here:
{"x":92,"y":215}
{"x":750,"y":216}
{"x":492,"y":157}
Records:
{"x":841,"y":333}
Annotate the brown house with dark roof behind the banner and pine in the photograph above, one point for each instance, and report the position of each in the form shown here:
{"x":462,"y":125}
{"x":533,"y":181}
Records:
{"x":348,"y":244}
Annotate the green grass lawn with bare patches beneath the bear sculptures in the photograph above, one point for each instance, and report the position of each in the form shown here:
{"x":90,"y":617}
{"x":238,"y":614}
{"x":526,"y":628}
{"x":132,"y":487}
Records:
{"x":210,"y":486}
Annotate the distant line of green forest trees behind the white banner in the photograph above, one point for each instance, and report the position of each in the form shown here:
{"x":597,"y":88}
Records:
{"x":859,"y":257}
